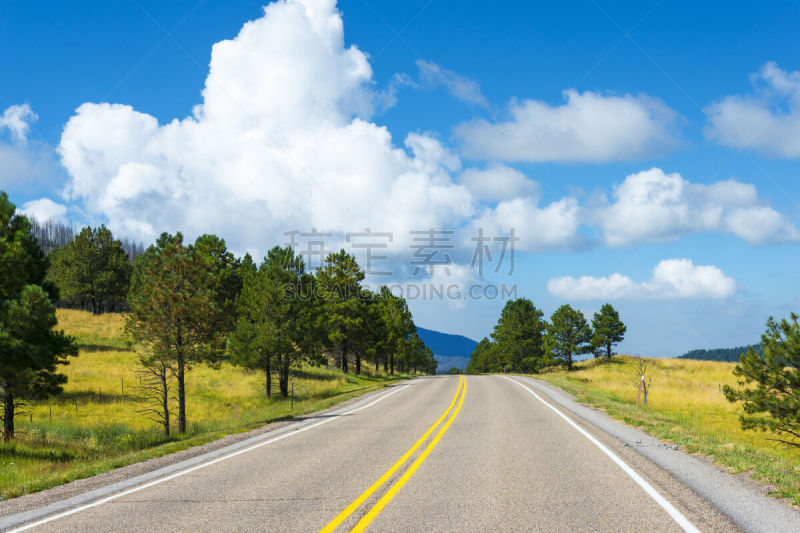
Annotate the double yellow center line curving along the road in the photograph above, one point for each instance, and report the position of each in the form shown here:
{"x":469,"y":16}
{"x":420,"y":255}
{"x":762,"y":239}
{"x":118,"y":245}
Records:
{"x":386,"y":498}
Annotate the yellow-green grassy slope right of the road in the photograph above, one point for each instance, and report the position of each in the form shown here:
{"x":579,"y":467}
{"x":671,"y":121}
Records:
{"x":686,"y":407}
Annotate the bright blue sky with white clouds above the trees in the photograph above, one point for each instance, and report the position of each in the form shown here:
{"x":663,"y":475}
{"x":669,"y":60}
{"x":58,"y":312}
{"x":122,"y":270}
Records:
{"x":666,"y":96}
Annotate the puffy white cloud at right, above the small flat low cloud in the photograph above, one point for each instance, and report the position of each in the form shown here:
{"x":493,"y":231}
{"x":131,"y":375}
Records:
{"x":654,"y":206}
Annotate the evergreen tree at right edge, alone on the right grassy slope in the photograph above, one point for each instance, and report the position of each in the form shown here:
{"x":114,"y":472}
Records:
{"x":770,"y":384}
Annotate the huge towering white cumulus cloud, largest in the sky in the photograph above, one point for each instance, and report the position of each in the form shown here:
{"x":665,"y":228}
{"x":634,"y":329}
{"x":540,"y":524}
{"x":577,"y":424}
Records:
{"x":281,"y":141}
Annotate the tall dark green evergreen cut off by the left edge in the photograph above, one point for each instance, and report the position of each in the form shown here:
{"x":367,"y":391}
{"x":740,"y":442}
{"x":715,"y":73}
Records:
{"x":30,"y":350}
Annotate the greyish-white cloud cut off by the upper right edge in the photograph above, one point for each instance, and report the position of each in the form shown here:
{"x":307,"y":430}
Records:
{"x":768,"y":121}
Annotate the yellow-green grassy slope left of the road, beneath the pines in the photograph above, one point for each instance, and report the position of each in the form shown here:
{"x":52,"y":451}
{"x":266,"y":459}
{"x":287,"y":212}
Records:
{"x":95,"y":425}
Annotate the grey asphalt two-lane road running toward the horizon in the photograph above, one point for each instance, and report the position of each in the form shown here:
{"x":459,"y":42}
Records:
{"x":498,"y":459}
